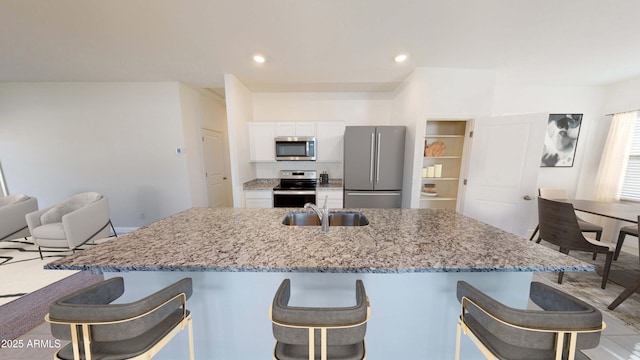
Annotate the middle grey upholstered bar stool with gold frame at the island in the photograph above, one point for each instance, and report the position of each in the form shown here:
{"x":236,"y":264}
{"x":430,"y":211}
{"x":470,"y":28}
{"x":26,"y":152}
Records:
{"x":302,"y":332}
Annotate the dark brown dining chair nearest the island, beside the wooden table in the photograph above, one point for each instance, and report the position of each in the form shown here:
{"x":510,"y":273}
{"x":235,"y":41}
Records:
{"x":559,"y":226}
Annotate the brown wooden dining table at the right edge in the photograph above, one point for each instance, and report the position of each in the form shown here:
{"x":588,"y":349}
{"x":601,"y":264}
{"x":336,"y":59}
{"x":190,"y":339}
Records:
{"x":618,"y":211}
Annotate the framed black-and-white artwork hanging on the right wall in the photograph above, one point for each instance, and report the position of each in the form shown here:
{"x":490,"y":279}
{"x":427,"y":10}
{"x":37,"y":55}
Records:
{"x":561,"y":140}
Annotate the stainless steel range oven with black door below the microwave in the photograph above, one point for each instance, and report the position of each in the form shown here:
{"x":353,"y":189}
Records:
{"x":296,"y":188}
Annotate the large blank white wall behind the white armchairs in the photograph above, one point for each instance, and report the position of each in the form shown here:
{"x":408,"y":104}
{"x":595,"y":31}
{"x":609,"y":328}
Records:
{"x":120,"y":139}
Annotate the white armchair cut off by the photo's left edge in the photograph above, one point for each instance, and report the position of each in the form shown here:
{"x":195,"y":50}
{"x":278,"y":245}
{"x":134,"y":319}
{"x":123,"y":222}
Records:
{"x":13,"y":209}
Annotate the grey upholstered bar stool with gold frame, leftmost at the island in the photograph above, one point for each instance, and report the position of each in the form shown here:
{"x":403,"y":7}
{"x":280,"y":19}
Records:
{"x":98,"y":329}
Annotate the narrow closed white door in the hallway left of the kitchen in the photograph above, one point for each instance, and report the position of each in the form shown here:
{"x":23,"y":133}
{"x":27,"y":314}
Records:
{"x":216,"y":168}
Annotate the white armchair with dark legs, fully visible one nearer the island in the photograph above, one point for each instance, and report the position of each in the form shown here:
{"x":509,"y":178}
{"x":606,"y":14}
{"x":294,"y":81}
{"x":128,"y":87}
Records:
{"x":71,"y":223}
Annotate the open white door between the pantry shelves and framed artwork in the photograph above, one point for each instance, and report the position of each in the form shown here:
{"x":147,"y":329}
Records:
{"x":503,"y":170}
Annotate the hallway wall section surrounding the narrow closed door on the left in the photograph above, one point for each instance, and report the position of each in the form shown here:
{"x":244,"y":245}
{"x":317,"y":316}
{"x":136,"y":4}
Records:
{"x":200,"y":109}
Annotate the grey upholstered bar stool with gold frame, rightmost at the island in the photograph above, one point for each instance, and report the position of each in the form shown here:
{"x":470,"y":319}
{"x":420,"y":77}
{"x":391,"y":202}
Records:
{"x":558,"y":328}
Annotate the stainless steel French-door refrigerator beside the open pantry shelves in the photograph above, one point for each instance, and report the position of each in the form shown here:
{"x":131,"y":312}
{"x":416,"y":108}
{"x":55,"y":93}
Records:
{"x":373,"y":165}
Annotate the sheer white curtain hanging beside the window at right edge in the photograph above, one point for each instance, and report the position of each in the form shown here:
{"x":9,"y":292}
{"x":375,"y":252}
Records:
{"x":615,"y":156}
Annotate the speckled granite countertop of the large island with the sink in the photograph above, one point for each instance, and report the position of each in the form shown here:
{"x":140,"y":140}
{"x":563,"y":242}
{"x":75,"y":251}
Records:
{"x":255,"y":240}
